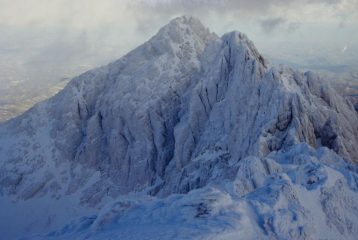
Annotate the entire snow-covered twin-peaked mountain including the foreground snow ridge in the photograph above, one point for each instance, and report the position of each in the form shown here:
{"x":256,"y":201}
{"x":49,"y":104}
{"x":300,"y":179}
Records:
{"x":187,"y":136}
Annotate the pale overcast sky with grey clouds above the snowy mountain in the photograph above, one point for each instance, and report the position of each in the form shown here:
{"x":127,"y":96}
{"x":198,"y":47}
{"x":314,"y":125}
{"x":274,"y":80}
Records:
{"x":38,"y":35}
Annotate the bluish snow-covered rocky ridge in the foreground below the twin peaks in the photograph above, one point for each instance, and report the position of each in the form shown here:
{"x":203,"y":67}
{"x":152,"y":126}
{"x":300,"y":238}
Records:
{"x":299,"y":194}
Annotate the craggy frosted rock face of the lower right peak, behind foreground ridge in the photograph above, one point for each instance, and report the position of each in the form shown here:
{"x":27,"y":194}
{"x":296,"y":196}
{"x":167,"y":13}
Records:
{"x":243,"y":108}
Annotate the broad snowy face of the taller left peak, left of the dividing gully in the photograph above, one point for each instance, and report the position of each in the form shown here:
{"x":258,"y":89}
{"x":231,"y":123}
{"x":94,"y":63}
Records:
{"x":117,"y":119}
